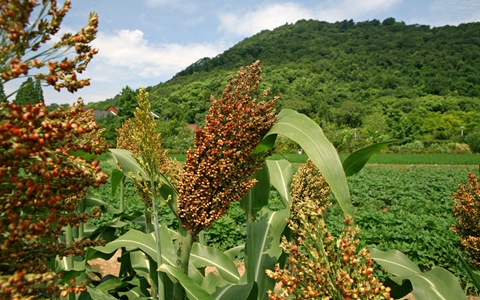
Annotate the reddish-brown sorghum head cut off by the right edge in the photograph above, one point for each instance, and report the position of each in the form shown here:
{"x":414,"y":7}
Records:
{"x":467,"y":214}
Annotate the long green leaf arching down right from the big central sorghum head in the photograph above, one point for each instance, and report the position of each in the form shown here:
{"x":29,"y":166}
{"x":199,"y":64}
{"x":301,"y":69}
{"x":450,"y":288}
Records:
{"x":305,"y":132}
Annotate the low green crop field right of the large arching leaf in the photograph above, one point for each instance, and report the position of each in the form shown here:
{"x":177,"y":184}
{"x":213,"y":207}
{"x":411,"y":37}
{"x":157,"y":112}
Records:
{"x":408,"y":209}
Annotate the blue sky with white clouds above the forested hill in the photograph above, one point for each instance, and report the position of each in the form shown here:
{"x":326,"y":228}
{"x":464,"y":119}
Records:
{"x":145,"y":42}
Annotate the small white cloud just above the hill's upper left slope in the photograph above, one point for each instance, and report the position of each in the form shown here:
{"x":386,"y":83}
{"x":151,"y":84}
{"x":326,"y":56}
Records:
{"x":266,"y":17}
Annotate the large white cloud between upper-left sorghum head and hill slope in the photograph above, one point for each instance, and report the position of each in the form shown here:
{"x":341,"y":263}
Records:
{"x":128,"y":58}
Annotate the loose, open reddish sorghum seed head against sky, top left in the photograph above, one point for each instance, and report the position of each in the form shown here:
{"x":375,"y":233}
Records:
{"x":26,"y":26}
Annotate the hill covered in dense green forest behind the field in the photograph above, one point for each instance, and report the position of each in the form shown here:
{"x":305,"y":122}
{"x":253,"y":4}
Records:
{"x":363,"y":82}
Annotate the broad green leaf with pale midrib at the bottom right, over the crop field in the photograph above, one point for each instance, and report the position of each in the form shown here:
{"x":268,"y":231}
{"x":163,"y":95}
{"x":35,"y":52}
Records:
{"x":437,"y":283}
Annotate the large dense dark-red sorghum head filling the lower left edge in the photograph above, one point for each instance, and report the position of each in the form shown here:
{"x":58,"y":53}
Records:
{"x":38,"y":174}
